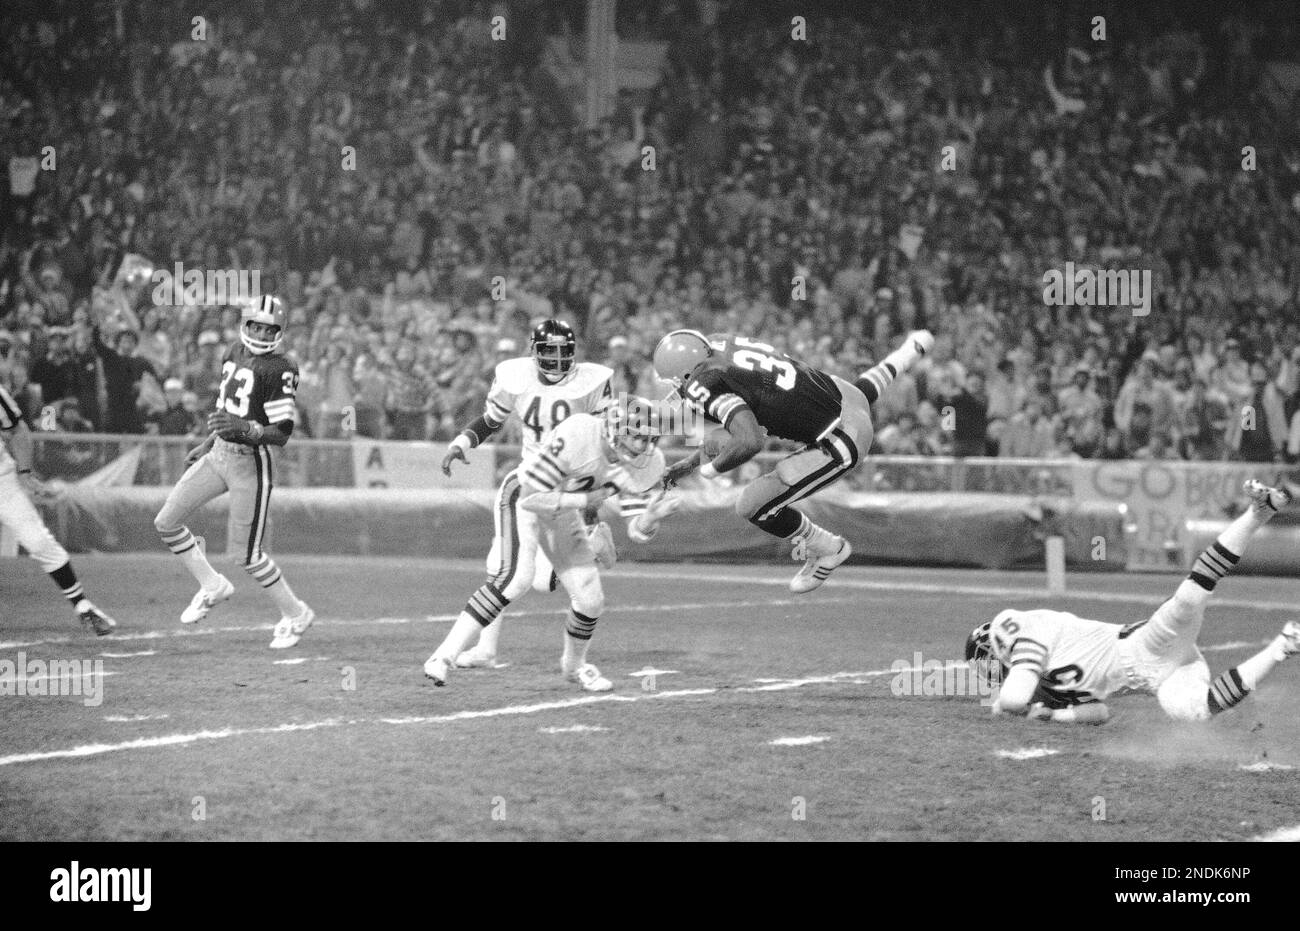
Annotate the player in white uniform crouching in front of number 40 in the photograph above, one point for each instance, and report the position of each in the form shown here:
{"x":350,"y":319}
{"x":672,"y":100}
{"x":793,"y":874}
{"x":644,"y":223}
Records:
{"x":584,"y":461}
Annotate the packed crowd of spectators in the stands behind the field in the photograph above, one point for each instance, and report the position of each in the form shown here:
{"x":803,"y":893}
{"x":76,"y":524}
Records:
{"x":419,"y":196}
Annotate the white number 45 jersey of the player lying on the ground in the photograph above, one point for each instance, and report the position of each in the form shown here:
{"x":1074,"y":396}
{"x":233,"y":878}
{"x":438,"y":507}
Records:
{"x":1076,"y":660}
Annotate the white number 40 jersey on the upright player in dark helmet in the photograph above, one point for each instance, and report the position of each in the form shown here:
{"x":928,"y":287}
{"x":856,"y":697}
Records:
{"x":519,"y":389}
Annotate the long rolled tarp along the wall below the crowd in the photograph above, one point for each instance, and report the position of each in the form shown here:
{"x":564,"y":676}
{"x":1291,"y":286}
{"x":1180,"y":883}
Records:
{"x":990,"y":531}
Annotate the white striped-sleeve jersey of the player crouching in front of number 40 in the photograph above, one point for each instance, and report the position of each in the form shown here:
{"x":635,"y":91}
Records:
{"x":575,"y":458}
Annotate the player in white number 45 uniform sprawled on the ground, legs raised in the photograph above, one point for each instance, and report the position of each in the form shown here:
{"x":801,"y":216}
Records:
{"x":1056,"y":666}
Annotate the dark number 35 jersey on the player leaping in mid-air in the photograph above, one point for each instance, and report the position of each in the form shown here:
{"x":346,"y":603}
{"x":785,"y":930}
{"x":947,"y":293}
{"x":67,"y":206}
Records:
{"x":791,"y":400}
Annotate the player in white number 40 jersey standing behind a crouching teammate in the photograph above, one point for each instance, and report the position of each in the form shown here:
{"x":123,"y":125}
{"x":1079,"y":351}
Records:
{"x":543,"y":391}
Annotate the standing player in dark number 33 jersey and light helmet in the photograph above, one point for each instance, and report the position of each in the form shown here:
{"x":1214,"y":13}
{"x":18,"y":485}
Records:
{"x":255,"y":412}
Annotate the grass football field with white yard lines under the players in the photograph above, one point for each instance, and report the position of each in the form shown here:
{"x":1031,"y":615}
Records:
{"x":740,"y":713}
